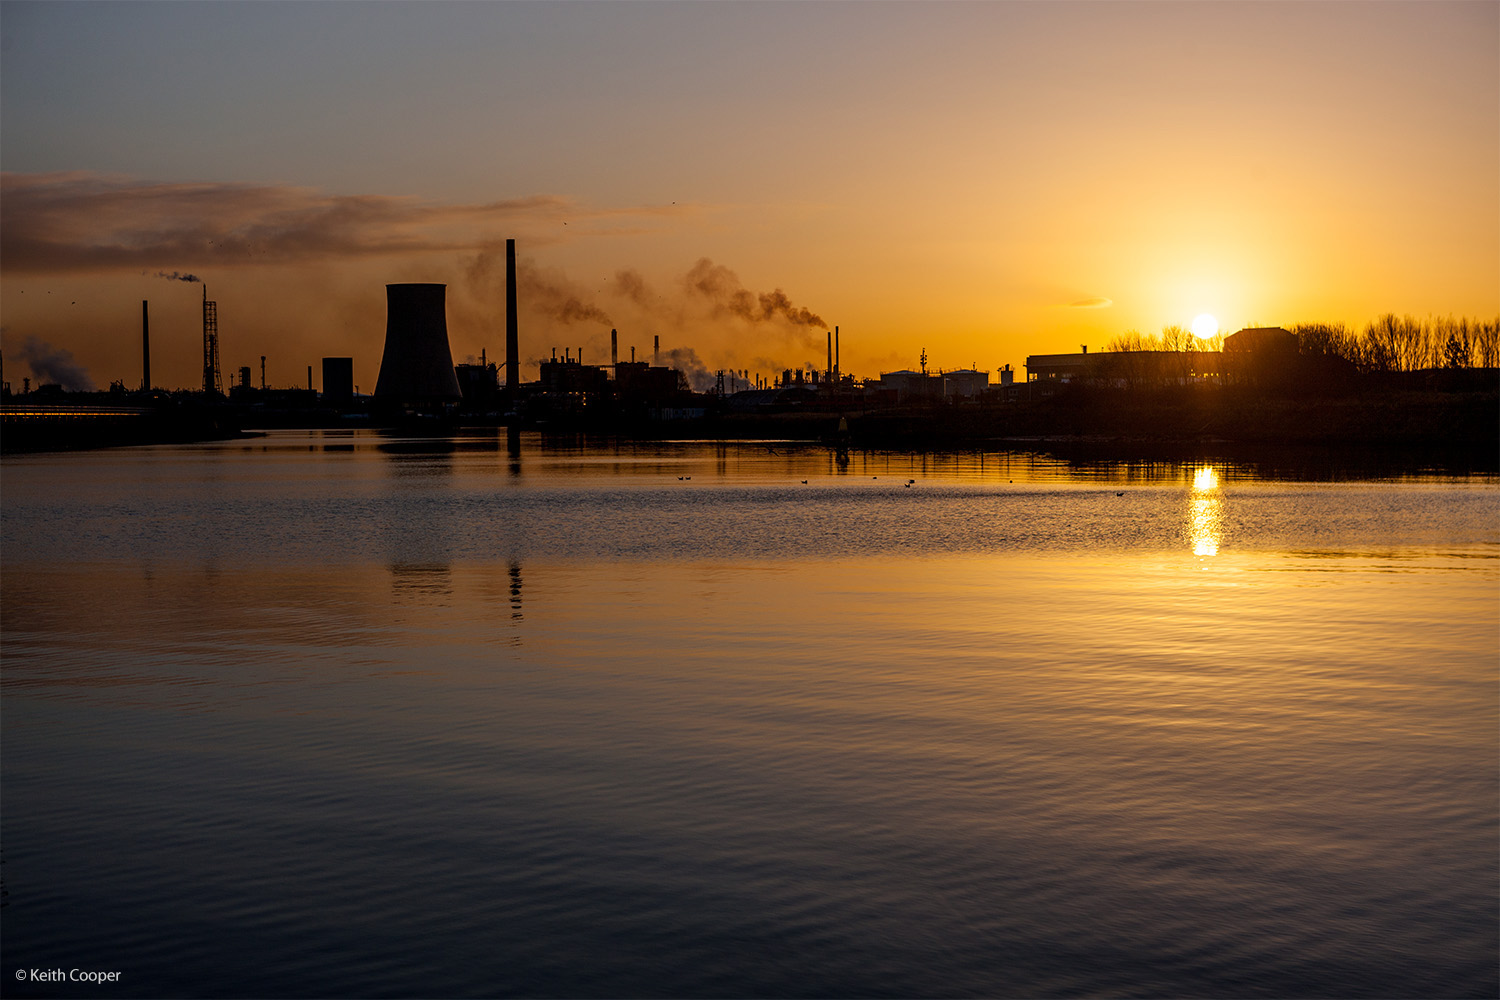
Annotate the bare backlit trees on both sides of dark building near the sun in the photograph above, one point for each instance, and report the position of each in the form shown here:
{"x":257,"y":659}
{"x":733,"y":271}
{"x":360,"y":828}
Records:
{"x":1390,"y":344}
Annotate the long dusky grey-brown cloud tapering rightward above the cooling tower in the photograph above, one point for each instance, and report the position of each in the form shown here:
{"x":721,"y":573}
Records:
{"x":82,"y":221}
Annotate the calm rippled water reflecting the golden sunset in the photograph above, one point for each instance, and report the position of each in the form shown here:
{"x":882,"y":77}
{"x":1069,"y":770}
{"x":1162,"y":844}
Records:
{"x":340,"y":714}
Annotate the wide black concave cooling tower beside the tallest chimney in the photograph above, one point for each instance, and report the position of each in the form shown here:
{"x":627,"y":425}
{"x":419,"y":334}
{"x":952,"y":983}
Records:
{"x":418,"y":367}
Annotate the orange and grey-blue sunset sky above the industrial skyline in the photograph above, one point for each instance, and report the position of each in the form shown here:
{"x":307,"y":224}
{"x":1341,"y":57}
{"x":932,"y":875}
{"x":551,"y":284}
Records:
{"x":976,"y":181}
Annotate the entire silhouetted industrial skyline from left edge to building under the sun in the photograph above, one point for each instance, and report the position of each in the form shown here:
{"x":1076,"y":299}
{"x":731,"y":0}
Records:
{"x":421,"y":385}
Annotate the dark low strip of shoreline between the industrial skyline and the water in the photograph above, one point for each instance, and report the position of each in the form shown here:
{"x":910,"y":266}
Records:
{"x":1391,"y":427}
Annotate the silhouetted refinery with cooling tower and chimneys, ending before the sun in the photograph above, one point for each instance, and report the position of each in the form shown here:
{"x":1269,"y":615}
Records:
{"x":421,"y":382}
